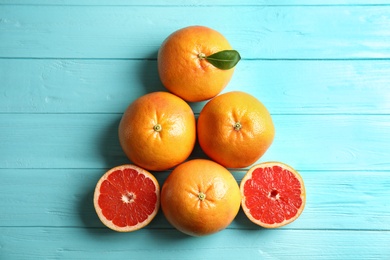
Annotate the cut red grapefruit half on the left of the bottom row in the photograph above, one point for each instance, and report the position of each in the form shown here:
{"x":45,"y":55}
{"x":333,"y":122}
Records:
{"x":127,"y":198}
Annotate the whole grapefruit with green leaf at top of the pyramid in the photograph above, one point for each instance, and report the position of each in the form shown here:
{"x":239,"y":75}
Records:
{"x":196,"y":63}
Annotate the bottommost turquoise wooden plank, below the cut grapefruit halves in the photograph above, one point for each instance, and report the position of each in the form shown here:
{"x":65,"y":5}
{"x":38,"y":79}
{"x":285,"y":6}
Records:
{"x":77,"y":243}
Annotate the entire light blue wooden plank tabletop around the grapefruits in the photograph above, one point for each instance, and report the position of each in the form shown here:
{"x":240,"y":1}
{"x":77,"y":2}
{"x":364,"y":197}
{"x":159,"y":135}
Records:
{"x":68,"y":70}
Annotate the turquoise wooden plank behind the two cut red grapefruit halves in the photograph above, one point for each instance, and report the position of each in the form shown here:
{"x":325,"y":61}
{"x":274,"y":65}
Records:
{"x":63,"y":198}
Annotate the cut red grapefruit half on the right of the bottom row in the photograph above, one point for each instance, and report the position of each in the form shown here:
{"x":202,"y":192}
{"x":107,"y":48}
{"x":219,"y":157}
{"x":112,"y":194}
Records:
{"x":273,"y":194}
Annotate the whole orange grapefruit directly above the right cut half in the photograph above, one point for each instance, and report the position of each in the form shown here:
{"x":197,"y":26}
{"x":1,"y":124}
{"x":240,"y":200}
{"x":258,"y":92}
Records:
{"x":235,"y":129}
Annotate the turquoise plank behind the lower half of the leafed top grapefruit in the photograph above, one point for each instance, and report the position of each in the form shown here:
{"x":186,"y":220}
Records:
{"x":109,"y":86}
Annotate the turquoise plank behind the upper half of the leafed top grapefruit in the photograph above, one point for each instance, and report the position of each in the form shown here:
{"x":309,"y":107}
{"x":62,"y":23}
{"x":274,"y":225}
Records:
{"x":275,"y":32}
